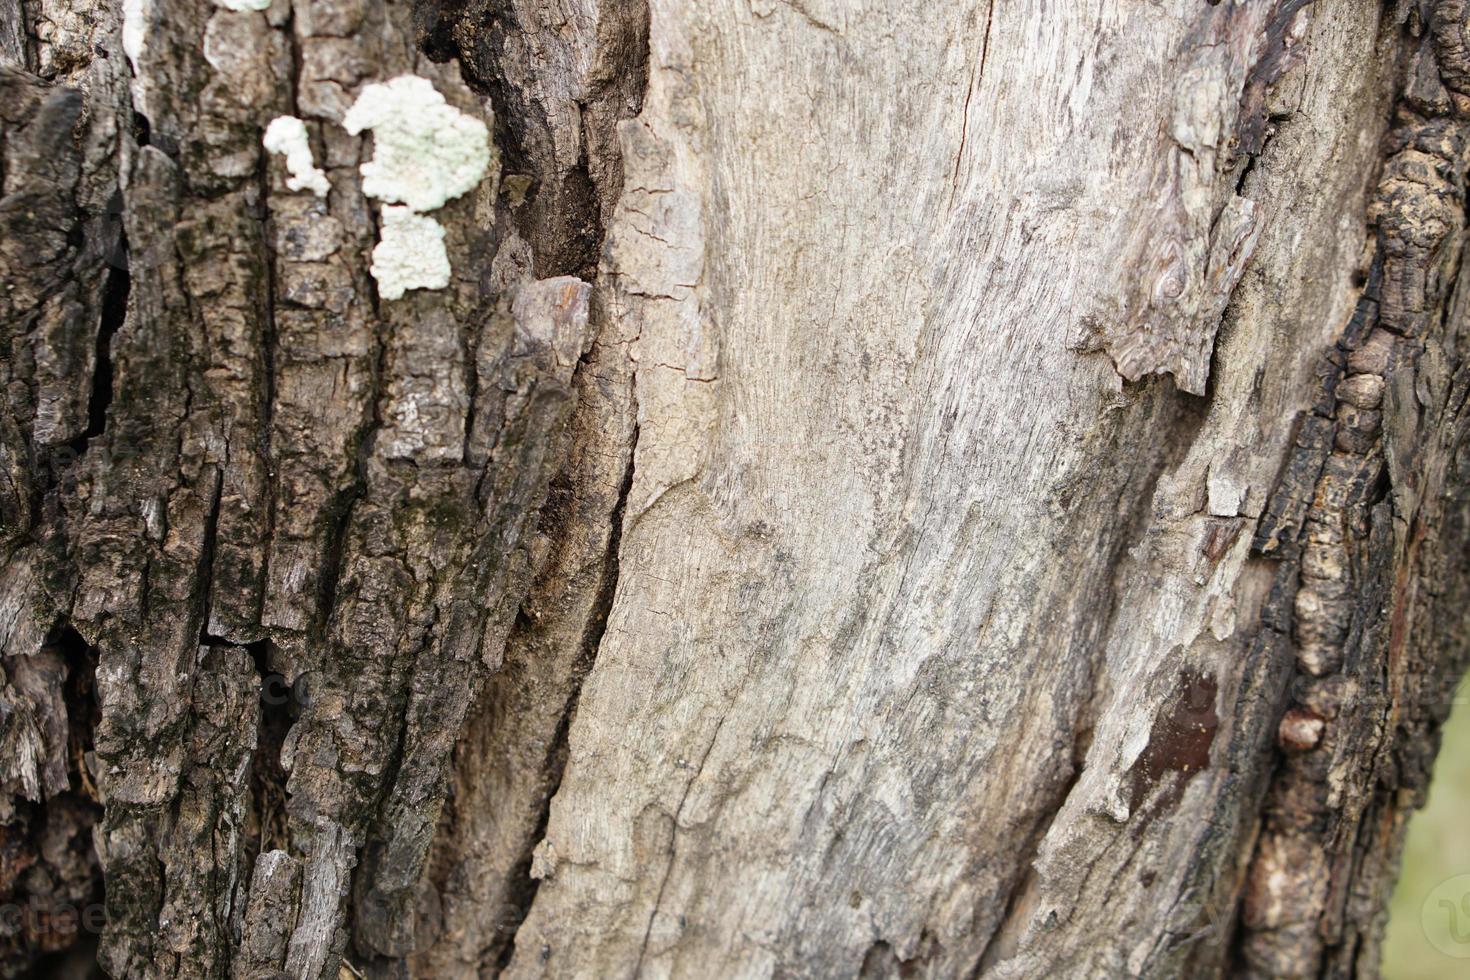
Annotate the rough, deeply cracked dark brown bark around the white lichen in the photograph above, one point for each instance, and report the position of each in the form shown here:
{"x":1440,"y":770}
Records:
{"x":292,"y":587}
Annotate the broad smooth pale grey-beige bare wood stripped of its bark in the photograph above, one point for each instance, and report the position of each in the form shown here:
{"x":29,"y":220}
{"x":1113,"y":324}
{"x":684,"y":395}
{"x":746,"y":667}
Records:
{"x":955,"y":565}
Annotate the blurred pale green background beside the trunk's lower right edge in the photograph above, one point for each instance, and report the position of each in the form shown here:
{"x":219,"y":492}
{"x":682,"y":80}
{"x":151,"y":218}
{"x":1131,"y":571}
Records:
{"x":1438,"y":849}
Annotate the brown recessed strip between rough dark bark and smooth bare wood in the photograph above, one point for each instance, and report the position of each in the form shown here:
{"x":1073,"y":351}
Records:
{"x":486,"y":871}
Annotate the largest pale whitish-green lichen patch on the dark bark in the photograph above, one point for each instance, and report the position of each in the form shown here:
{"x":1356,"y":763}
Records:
{"x":426,"y":152}
